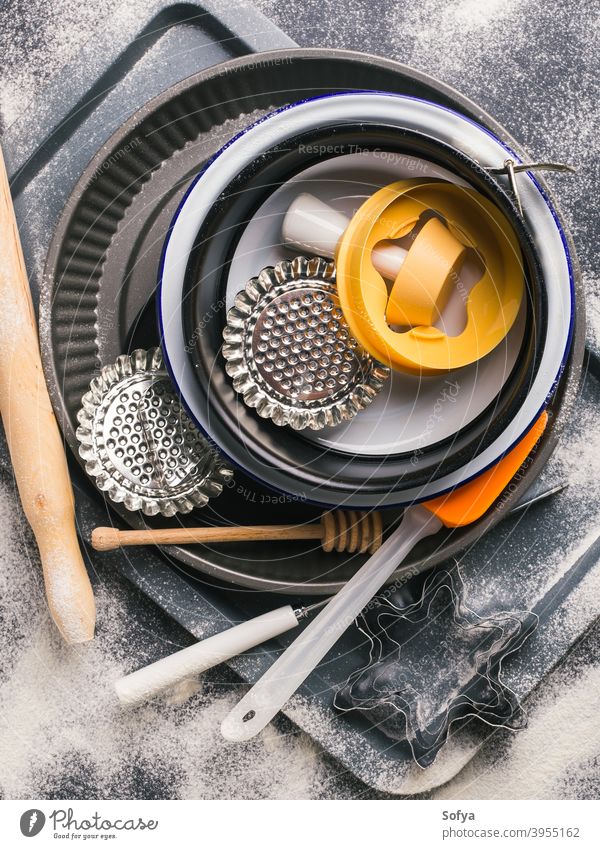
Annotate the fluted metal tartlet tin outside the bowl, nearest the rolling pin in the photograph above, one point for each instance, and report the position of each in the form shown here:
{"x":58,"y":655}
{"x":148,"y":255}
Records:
{"x":140,"y":446}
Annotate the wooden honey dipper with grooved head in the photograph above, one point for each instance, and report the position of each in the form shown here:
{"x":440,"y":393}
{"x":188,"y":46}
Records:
{"x":348,"y":531}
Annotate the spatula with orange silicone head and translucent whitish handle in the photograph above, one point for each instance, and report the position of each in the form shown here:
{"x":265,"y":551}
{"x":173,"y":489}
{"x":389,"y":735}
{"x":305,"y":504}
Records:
{"x":460,"y":507}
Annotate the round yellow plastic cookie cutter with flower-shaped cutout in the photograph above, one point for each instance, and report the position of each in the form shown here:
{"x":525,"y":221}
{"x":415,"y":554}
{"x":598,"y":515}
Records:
{"x":425,"y":278}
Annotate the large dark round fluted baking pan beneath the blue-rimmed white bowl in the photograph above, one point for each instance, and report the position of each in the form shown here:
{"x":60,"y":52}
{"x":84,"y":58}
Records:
{"x":102,"y":265}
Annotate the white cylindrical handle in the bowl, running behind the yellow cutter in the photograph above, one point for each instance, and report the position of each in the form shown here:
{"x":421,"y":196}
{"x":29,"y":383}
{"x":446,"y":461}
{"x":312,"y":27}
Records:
{"x":315,"y":227}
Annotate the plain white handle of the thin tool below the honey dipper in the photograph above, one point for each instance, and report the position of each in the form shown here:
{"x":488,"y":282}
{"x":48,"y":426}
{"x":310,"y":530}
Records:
{"x":151,"y":680}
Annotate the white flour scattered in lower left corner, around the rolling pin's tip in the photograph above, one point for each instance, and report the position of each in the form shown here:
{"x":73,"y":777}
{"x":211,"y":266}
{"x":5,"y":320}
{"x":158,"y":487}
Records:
{"x":64,"y":734}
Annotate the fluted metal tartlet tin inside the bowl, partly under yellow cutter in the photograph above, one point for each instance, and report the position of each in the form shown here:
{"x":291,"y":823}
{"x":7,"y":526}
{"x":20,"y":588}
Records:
{"x":290,"y":352}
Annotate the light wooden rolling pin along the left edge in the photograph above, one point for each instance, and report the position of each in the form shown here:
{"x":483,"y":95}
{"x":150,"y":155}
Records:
{"x":34,"y":440}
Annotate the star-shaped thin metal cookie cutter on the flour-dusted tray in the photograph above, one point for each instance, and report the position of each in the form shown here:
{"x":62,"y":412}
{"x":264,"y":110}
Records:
{"x":433,"y":662}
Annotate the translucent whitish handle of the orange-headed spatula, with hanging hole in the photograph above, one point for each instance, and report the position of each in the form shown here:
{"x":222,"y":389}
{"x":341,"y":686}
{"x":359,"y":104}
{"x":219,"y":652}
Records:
{"x":272,"y":691}
